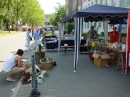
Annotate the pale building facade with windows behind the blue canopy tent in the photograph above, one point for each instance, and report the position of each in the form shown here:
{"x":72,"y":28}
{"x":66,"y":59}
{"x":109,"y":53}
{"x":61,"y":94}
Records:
{"x":87,"y":3}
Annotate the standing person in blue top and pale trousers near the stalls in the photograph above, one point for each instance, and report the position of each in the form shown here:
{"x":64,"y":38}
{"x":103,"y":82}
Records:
{"x":37,"y":37}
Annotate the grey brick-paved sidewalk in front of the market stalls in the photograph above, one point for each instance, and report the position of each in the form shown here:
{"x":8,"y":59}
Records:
{"x":88,"y":81}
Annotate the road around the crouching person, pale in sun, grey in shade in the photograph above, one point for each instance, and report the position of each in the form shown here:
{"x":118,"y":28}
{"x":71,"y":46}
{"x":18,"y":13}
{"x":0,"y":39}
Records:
{"x":9,"y":44}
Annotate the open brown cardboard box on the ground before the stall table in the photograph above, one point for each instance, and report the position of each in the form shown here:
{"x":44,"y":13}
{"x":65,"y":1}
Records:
{"x":101,"y":59}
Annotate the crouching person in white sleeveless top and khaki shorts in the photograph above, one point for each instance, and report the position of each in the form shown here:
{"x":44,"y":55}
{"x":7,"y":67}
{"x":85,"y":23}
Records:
{"x":14,"y":65}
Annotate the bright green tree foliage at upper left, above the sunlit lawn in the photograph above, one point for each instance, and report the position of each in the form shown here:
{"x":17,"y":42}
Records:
{"x":28,"y":11}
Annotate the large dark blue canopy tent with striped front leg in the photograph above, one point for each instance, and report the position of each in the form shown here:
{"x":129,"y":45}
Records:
{"x":93,"y":13}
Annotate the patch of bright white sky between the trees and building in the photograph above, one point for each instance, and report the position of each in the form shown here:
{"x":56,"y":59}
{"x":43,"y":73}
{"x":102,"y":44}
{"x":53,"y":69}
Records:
{"x":48,"y":5}
